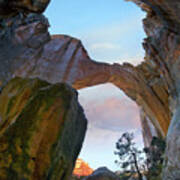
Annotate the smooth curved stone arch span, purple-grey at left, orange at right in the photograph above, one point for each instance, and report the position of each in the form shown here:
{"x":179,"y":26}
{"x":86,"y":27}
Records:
{"x":75,"y":67}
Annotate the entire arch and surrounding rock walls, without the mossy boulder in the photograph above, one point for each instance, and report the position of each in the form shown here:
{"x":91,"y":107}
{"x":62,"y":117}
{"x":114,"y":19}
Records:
{"x":27,"y":50}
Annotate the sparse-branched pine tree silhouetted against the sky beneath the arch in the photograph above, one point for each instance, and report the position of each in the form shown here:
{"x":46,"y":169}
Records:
{"x":129,"y":155}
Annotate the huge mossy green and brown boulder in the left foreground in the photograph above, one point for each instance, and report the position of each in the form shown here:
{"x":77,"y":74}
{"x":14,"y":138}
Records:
{"x":41,"y":130}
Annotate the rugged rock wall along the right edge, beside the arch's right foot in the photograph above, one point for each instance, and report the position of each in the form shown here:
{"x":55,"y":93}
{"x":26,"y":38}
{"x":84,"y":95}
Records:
{"x":162,"y":47}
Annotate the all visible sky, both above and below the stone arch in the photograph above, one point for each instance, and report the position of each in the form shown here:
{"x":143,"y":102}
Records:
{"x":111,"y":31}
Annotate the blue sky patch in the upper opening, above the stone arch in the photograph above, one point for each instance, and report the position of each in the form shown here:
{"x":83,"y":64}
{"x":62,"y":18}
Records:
{"x":110,"y":31}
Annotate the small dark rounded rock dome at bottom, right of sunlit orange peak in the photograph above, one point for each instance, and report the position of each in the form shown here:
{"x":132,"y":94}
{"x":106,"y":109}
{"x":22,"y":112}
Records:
{"x":102,"y":174}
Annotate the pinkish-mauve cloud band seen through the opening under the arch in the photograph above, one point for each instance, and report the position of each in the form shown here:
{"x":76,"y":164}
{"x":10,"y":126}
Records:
{"x":113,"y":114}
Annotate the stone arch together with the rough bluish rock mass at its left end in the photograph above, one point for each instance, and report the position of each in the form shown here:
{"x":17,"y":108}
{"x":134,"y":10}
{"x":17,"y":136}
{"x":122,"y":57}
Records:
{"x":29,"y":51}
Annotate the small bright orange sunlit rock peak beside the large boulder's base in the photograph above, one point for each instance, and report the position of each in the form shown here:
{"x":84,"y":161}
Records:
{"x":82,"y":168}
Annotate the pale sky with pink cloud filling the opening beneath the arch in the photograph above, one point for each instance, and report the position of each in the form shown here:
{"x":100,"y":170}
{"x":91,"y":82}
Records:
{"x":109,"y":114}
